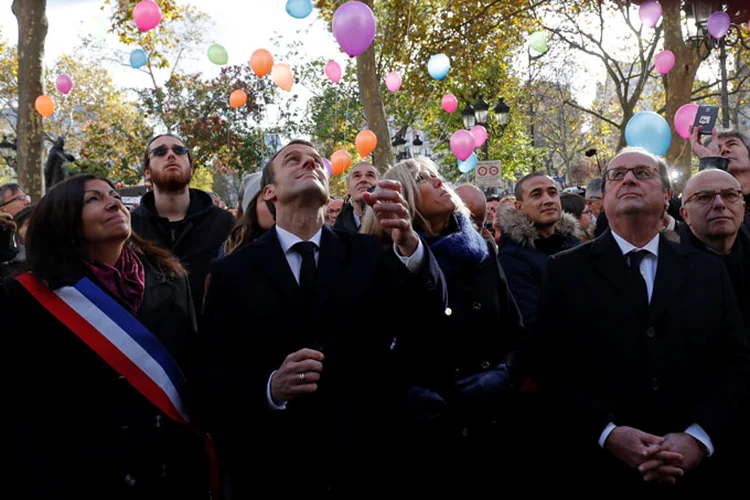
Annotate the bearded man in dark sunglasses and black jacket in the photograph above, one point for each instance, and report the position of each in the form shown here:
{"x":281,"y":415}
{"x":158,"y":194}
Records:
{"x":178,"y":218}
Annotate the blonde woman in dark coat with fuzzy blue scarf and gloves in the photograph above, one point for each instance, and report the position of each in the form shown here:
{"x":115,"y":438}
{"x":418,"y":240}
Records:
{"x":458,"y":369}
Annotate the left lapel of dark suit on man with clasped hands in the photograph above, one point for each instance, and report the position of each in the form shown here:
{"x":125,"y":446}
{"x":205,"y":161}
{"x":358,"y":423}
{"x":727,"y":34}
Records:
{"x":610,"y":263}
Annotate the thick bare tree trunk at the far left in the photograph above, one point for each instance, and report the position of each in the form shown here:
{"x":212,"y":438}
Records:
{"x":32,"y":31}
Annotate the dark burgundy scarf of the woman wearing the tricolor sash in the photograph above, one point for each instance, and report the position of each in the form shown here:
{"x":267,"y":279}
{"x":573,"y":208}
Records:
{"x":125,"y":281}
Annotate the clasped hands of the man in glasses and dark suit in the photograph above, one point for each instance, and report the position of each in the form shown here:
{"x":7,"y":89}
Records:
{"x":658,"y":458}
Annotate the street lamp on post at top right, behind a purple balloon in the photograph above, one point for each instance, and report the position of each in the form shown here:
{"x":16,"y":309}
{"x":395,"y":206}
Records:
{"x":697,"y":13}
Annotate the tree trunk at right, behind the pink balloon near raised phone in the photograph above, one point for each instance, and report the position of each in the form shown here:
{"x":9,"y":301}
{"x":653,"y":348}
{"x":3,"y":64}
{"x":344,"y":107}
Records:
{"x":678,"y":85}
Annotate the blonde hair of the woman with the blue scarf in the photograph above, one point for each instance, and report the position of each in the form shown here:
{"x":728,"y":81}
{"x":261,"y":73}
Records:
{"x":406,"y":173}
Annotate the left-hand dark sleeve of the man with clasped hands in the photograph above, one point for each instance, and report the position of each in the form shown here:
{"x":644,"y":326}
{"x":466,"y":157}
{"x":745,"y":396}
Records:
{"x":556,"y":368}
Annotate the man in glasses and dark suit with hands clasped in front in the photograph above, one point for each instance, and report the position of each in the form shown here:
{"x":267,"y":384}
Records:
{"x":653,"y":390}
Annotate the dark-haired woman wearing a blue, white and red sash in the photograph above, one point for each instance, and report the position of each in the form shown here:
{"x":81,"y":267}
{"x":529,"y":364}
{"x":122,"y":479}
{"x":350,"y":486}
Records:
{"x":99,"y":342}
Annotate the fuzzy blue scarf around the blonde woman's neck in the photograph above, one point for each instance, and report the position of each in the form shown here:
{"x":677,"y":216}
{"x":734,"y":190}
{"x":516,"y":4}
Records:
{"x":458,"y":245}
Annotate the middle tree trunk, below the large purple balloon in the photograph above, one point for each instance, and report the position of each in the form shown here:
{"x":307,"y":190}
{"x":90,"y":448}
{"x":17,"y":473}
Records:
{"x":372,"y":102}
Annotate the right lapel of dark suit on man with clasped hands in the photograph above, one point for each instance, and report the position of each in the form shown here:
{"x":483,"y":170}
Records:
{"x":671,"y":273}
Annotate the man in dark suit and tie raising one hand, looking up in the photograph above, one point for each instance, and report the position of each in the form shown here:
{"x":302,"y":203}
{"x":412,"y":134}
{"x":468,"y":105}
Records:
{"x":296,"y":344}
